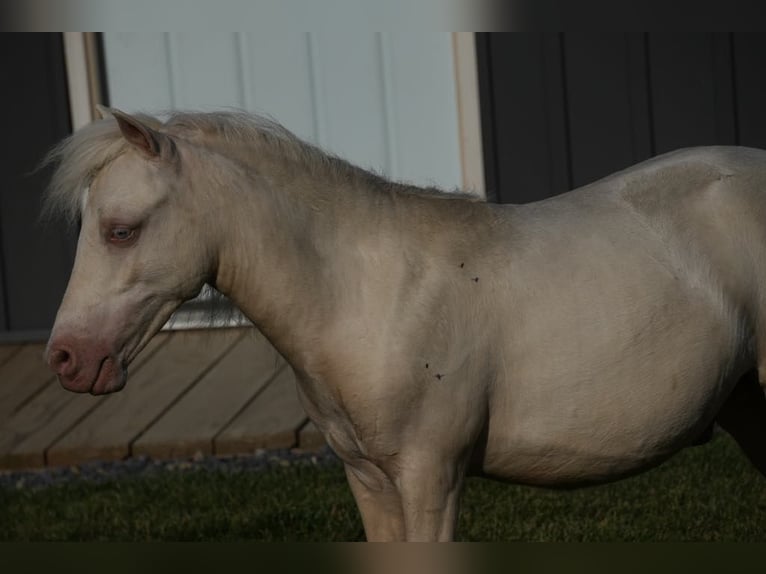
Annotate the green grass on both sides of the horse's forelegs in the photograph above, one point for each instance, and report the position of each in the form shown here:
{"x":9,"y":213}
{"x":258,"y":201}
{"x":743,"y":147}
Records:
{"x":704,"y":494}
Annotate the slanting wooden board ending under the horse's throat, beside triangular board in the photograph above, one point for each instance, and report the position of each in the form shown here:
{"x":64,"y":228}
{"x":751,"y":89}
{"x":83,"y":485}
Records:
{"x":193,"y":422}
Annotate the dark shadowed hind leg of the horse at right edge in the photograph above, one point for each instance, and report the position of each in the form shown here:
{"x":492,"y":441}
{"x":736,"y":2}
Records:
{"x":743,"y":416}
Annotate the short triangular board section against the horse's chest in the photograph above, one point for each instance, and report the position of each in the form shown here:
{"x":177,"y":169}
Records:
{"x":272,"y":420}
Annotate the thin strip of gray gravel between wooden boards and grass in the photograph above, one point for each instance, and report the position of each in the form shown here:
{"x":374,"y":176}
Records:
{"x":103,"y":471}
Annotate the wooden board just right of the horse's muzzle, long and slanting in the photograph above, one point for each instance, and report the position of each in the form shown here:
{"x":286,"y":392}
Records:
{"x":110,"y":430}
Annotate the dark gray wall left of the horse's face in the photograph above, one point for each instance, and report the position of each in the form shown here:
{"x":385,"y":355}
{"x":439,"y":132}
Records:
{"x":35,"y":115}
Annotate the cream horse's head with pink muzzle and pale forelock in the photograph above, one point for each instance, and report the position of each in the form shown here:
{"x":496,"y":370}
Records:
{"x":137,"y":256}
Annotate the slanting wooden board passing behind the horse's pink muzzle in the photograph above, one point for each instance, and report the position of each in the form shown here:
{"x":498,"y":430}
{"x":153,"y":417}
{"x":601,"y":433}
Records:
{"x":28,"y":432}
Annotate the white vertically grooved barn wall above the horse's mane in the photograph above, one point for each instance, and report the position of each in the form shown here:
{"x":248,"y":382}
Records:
{"x":385,"y":101}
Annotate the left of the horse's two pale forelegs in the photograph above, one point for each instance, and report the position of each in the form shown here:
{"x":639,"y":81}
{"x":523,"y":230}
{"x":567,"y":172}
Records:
{"x":379,"y":504}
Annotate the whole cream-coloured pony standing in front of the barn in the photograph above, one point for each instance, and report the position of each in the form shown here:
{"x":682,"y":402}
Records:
{"x":572,"y":341}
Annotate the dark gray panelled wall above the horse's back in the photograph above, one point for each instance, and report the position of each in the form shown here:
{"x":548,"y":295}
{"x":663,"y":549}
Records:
{"x":563,"y":110}
